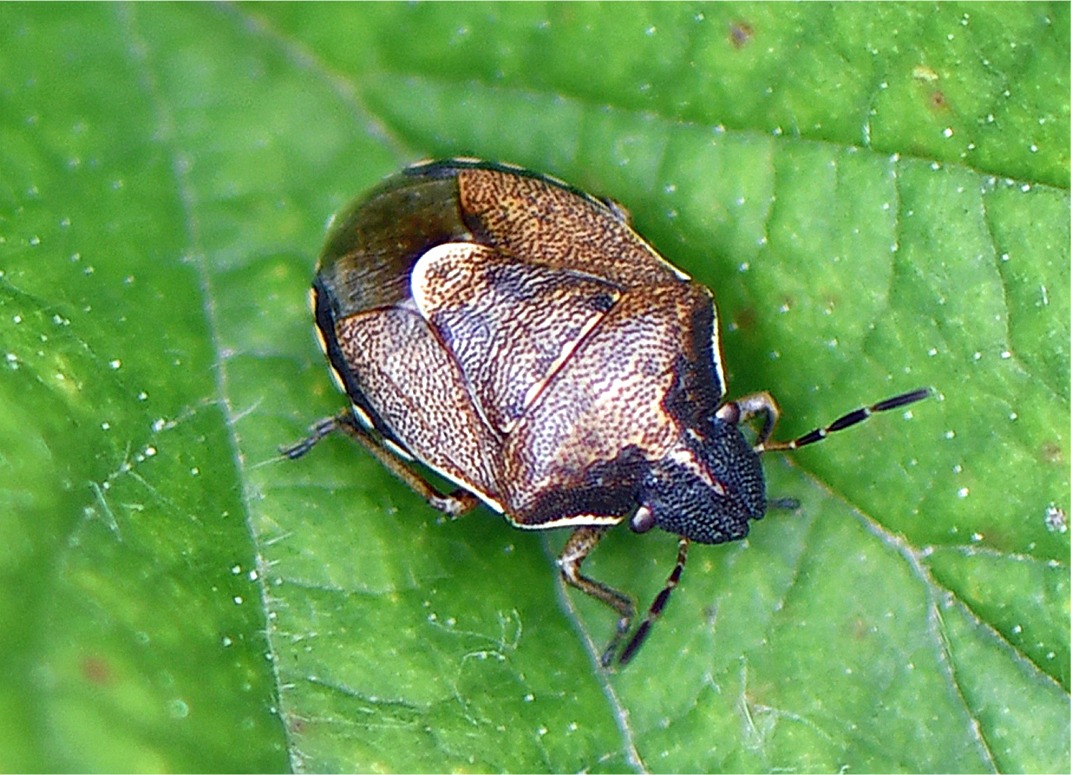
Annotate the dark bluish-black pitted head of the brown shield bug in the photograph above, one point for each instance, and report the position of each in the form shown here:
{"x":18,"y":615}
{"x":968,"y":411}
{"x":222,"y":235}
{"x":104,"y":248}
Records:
{"x":706,"y":490}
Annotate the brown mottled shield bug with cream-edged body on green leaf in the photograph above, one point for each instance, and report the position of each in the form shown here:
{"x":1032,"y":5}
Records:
{"x":515,"y":336}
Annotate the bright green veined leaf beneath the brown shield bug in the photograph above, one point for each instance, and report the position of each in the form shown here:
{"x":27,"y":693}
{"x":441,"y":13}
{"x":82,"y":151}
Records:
{"x":879,"y":196}
